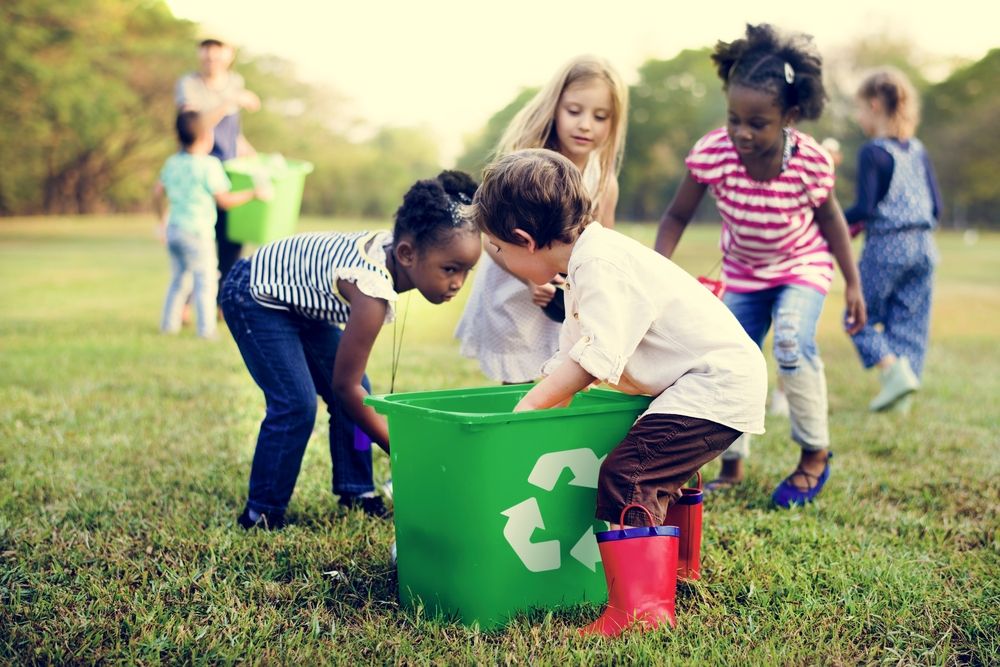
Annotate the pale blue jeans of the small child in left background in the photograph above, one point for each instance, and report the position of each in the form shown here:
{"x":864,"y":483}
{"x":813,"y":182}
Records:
{"x":193,"y":255}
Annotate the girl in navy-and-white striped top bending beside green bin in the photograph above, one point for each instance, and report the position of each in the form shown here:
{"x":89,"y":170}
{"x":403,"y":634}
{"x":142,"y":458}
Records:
{"x":285,"y":306}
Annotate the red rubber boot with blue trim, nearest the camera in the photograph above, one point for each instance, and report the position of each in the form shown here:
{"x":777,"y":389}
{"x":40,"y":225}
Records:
{"x":640,"y":567}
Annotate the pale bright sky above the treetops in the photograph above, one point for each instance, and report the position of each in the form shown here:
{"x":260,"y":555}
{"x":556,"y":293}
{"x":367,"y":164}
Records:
{"x":448,"y":65}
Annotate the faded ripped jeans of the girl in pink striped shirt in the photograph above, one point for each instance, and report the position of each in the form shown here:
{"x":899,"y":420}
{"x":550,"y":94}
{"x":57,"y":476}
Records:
{"x":793,"y":311}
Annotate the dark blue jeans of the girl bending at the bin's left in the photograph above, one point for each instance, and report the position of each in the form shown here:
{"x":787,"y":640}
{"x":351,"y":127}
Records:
{"x":290,"y":357}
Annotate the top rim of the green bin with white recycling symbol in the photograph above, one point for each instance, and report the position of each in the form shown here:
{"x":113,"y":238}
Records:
{"x":395,"y":403}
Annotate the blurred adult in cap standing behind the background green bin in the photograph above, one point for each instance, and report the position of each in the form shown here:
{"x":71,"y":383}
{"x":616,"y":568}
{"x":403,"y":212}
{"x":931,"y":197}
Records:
{"x":218,"y":94}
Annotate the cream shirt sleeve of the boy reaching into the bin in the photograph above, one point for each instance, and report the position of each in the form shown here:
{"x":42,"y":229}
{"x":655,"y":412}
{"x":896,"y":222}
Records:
{"x":614,"y":316}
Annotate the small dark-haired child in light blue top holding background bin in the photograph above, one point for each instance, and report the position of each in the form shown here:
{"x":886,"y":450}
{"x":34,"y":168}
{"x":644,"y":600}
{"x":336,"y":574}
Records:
{"x":195,"y":185}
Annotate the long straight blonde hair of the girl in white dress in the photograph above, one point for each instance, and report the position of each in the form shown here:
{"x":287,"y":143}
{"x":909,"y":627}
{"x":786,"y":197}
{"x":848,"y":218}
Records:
{"x":534,"y":125}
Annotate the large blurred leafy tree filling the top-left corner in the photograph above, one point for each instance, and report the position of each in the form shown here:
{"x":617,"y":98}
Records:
{"x":80,"y":78}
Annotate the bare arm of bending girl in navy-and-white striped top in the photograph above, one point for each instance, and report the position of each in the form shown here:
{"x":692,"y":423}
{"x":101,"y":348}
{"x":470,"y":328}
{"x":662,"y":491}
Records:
{"x":363,"y":326}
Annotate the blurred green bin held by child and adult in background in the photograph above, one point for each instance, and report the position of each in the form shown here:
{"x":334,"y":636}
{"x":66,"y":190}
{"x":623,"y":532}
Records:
{"x":258,"y":221}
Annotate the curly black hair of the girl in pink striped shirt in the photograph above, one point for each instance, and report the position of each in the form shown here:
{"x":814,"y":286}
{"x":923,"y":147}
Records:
{"x":766,"y":59}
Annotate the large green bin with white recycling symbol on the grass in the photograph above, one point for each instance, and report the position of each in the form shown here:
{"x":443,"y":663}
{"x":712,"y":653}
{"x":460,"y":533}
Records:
{"x":494,"y":511}
